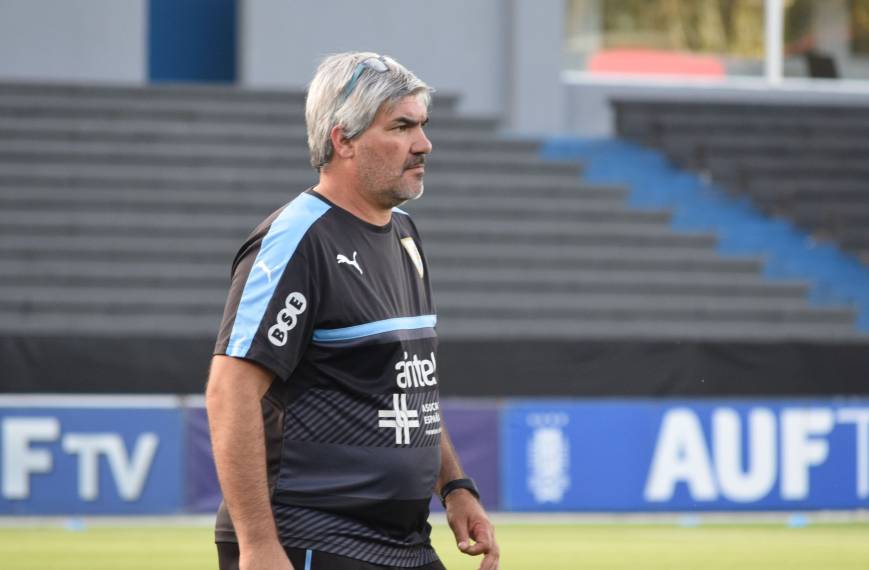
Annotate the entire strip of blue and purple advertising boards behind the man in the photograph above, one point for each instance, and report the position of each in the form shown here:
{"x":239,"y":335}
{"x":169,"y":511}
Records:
{"x":125,"y":455}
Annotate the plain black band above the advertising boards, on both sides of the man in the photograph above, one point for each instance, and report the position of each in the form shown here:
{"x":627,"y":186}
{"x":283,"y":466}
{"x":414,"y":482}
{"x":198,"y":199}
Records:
{"x":471,"y":368}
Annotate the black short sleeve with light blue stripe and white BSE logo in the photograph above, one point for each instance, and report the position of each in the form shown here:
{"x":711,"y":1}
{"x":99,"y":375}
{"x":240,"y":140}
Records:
{"x":272,"y":303}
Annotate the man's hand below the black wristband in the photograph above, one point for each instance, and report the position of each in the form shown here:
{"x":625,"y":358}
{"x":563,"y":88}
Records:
{"x":468,"y":520}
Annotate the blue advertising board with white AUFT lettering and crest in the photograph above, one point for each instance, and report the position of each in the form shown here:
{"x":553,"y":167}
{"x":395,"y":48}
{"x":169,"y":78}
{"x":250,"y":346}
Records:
{"x":685,"y":455}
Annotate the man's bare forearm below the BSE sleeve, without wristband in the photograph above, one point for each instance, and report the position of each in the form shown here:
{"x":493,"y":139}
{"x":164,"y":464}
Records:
{"x":238,"y":442}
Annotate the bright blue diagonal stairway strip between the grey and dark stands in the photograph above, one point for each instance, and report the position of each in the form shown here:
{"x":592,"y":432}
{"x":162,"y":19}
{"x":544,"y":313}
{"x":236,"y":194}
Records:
{"x":835,"y":278}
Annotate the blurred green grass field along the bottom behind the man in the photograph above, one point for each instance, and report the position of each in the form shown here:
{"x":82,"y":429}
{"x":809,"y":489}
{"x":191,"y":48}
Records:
{"x":525,"y":547}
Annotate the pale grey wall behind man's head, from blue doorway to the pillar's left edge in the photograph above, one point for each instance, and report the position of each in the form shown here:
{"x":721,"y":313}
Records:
{"x":282,"y":42}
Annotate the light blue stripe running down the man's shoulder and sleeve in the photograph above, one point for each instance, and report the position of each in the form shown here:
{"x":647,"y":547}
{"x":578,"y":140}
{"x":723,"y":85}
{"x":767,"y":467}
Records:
{"x":278,"y":246}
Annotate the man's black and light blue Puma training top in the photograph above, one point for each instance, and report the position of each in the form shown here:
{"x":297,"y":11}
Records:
{"x":340,"y":311}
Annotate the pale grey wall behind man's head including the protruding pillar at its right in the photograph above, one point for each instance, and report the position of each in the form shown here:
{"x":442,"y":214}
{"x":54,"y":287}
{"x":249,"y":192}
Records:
{"x":504,"y":58}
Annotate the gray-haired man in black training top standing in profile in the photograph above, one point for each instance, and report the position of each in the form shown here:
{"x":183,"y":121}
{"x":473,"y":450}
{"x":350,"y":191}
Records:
{"x":323,"y":392}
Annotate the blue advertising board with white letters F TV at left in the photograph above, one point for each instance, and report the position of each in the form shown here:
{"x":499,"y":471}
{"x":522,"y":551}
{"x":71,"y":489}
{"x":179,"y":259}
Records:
{"x":104,"y":460}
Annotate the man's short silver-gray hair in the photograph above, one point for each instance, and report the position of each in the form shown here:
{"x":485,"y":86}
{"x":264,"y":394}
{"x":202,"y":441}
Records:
{"x":326,"y":107}
